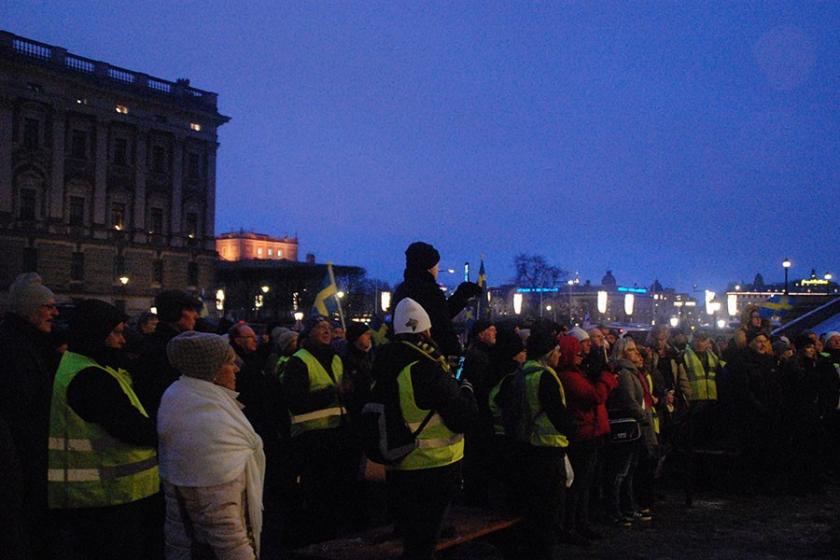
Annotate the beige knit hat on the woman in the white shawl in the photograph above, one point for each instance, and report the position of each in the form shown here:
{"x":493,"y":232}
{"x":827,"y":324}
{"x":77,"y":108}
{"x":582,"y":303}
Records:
{"x":200,"y":355}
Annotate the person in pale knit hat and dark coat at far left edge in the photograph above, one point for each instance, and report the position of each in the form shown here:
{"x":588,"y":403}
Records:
{"x":29,"y":363}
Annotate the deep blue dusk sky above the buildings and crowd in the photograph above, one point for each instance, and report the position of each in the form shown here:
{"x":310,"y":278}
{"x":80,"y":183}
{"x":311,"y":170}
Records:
{"x":694,"y":142}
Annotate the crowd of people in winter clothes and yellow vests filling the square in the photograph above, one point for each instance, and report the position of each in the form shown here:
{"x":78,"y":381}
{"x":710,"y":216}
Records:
{"x":161,"y":440}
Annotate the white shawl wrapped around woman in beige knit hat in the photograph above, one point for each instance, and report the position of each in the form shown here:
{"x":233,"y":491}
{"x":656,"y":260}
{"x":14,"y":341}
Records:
{"x":205,"y":440}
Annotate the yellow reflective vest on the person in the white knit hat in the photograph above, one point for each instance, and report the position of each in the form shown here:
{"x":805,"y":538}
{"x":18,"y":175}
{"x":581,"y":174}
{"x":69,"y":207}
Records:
{"x":436,"y":445}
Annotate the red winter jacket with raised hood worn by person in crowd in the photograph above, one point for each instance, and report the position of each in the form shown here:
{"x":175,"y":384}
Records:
{"x":585,"y":400}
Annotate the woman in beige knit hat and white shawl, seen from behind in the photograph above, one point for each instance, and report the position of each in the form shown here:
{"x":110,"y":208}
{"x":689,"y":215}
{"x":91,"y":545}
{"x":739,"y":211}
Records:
{"x":211,"y":461}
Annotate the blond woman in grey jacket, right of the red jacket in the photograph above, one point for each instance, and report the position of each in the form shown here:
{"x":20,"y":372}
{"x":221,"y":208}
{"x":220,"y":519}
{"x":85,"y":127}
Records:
{"x":632,"y":400}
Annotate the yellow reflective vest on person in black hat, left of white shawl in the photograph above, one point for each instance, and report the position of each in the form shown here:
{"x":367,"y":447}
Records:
{"x":87,"y":466}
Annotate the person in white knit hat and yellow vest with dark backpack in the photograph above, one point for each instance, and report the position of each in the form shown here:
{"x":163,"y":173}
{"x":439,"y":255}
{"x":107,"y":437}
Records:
{"x":422,"y":485}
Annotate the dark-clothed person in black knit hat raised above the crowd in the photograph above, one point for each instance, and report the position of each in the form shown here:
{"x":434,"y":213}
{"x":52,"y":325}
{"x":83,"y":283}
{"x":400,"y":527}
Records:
{"x":422,"y":262}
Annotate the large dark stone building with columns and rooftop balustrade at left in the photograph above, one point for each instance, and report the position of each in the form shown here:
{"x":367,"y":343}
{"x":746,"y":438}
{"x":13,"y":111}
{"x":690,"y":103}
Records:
{"x":107,"y":177}
